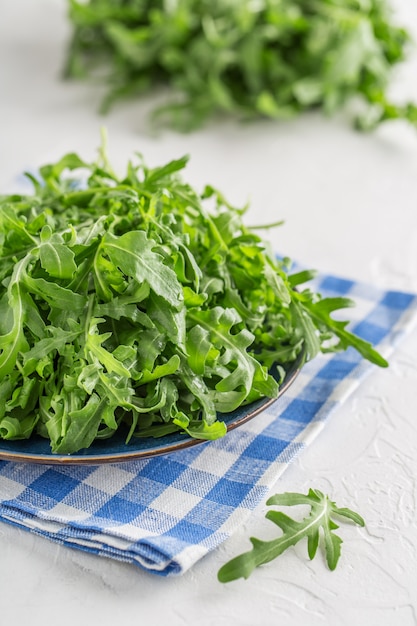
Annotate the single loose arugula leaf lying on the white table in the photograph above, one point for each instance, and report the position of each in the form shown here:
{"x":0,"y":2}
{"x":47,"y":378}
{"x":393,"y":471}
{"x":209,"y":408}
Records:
{"x":319,"y":521}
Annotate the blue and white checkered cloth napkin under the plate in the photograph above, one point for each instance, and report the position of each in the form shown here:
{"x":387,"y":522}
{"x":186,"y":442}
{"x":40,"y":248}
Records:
{"x":166,"y":513}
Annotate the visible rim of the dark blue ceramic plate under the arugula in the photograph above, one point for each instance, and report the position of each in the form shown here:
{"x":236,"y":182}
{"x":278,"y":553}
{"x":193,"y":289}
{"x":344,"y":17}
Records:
{"x":115,"y":450}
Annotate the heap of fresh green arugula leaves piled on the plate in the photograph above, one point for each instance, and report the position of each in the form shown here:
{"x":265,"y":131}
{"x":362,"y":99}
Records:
{"x":134,"y":304}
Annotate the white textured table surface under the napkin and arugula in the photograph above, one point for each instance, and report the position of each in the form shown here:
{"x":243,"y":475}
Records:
{"x":350,"y":206}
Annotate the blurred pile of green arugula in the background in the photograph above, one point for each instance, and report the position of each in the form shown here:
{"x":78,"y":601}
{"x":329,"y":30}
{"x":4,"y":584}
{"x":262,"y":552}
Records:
{"x":273,"y":58}
